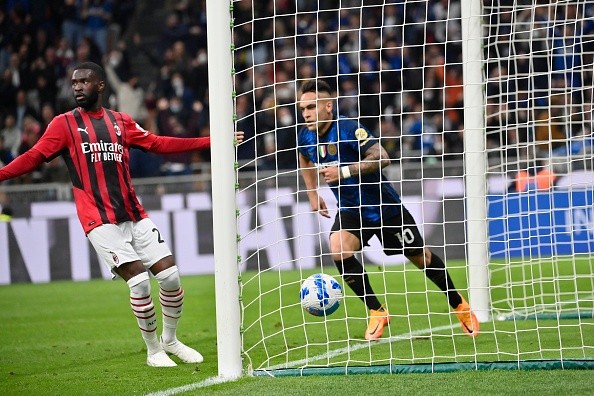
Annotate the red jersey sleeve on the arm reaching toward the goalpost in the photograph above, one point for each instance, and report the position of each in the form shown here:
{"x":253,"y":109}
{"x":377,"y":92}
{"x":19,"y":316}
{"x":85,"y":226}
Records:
{"x":137,"y":136}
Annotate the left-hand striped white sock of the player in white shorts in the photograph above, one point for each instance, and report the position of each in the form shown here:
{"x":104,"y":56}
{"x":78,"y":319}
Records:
{"x":144,"y":310}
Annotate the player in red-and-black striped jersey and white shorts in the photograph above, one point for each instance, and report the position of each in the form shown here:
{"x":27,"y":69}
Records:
{"x":94,"y":142}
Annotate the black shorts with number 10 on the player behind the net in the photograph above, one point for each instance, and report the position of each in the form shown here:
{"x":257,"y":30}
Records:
{"x":398,"y":235}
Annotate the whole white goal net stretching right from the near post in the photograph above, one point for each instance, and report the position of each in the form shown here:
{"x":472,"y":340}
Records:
{"x":402,"y":68}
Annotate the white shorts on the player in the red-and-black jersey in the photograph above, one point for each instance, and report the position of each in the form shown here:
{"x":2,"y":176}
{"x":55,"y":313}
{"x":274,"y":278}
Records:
{"x":122,"y":243}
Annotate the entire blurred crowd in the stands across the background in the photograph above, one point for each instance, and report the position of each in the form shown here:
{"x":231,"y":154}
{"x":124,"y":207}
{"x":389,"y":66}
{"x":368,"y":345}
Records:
{"x":395,"y":65}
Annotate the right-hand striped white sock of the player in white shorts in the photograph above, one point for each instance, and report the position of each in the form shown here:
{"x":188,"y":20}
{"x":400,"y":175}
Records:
{"x":171,"y":297}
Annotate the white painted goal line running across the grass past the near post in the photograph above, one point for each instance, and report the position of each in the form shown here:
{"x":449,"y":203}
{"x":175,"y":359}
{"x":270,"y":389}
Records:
{"x":341,"y":351}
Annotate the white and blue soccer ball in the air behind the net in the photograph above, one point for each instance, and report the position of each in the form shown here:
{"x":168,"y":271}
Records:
{"x":320,"y":294}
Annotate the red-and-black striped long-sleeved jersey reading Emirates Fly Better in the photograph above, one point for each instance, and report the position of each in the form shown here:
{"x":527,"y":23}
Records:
{"x":96,"y":147}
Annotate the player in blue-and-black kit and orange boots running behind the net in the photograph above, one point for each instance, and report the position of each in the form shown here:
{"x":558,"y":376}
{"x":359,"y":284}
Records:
{"x":350,"y":159}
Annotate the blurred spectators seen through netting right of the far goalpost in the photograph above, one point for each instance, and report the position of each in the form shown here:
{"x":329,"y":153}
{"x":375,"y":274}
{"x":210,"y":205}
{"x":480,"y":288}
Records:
{"x":540,"y":65}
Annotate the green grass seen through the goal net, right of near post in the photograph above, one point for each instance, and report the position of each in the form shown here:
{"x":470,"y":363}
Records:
{"x":423,"y":330}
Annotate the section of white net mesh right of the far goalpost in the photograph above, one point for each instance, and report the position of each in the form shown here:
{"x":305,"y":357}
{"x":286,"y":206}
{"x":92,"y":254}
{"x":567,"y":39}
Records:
{"x":539,"y":65}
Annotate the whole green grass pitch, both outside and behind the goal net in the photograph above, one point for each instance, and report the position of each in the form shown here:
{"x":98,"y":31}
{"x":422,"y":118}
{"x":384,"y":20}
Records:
{"x":79,"y":338}
